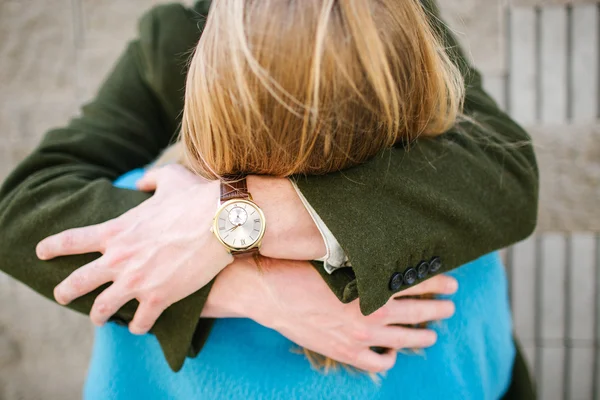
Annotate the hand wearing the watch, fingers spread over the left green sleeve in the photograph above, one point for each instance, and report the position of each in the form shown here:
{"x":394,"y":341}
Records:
{"x":158,"y":253}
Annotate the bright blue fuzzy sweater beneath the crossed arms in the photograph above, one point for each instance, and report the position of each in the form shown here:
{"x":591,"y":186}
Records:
{"x":243,"y":360}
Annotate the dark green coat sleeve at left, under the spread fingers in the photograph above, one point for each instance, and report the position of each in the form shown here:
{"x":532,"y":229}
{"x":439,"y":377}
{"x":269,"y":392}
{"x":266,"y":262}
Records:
{"x":67,"y":182}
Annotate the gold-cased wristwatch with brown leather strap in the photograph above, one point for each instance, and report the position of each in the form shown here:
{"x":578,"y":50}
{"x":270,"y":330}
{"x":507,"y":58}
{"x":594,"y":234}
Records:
{"x":239,"y":223}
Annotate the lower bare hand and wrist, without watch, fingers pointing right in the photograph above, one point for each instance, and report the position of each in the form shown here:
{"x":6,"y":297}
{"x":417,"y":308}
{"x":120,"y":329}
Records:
{"x":292,"y":298}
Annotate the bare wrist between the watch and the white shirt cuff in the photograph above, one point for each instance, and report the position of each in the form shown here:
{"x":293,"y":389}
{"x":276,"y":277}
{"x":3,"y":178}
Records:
{"x":291,"y":232}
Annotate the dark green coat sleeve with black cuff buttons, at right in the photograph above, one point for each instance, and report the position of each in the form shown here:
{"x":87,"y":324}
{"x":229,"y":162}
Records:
{"x":411,"y":213}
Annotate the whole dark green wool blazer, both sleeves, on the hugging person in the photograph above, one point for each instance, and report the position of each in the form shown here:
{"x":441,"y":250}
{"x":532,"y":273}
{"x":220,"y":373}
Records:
{"x":453,"y":198}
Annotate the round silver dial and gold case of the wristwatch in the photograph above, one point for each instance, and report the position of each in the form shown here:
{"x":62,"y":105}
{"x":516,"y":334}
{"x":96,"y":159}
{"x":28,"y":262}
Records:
{"x":239,"y":224}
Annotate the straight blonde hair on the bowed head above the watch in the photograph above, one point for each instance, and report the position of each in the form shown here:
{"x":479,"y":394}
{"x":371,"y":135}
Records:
{"x":283,"y":87}
